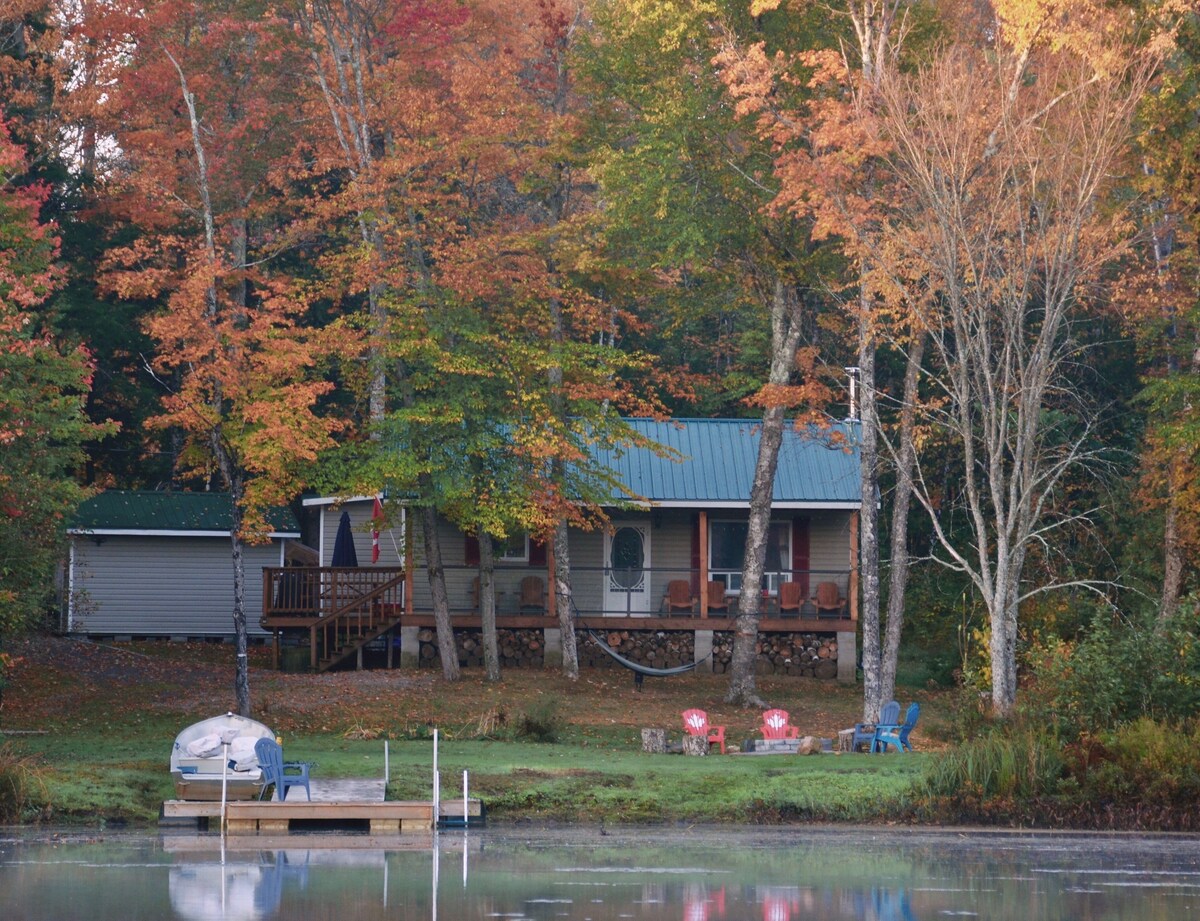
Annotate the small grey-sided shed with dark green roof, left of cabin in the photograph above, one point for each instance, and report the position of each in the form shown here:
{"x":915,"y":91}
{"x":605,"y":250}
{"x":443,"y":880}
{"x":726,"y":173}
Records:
{"x":159,"y":564}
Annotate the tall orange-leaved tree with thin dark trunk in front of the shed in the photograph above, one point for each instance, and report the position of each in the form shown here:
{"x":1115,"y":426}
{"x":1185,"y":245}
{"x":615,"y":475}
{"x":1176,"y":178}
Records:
{"x":201,"y":103}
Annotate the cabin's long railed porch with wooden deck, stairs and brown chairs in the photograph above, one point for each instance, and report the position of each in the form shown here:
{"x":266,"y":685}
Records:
{"x":337,"y":612}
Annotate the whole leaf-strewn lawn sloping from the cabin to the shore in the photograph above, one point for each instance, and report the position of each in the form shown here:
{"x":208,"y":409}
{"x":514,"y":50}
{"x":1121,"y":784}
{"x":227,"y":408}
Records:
{"x":105,"y":718}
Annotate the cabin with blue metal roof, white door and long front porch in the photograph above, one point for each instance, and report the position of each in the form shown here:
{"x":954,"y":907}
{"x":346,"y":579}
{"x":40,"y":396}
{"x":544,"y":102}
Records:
{"x":662,"y":582}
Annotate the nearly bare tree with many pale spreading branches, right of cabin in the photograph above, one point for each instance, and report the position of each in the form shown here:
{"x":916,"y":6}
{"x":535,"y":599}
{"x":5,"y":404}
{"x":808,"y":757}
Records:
{"x":1007,"y":158}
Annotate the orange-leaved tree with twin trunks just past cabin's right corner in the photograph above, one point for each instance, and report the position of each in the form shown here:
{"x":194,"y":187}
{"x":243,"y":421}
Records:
{"x":831,"y":171}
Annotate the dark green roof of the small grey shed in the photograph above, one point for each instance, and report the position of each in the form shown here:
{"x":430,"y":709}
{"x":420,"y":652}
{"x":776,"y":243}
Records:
{"x":154,"y":513}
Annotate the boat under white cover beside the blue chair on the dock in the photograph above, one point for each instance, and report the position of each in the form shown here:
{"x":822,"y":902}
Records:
{"x":224,"y":745}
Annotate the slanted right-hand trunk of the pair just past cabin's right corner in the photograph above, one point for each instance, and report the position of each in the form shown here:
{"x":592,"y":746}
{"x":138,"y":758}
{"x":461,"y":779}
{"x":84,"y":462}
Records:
{"x":898,"y":575}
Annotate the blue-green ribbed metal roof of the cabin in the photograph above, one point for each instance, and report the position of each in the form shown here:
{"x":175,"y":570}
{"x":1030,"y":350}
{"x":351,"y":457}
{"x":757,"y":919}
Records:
{"x":818,"y":467}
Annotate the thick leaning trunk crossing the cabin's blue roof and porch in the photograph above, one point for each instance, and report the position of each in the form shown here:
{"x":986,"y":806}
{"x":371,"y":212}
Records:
{"x":785,"y":338}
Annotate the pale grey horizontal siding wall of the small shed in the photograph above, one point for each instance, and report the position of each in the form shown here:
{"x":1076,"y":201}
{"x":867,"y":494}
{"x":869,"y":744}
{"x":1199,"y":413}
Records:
{"x":163,"y":586}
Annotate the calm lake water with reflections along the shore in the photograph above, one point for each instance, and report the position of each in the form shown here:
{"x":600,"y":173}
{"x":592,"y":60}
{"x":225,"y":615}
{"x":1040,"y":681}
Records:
{"x":698,"y":875}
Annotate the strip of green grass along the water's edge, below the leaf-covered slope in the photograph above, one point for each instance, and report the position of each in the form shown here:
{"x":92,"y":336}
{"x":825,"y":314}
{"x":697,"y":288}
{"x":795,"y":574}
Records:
{"x":97,"y":780}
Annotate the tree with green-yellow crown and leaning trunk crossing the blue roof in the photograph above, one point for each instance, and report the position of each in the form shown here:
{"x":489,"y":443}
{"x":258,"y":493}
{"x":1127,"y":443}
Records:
{"x":689,"y":186}
